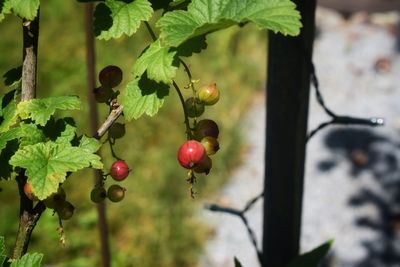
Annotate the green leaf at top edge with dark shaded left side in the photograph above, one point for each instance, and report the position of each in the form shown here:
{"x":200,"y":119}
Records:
{"x":115,"y":17}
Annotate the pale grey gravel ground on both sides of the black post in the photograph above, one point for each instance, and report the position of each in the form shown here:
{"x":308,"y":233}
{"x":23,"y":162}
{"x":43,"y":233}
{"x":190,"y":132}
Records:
{"x":352,"y":179}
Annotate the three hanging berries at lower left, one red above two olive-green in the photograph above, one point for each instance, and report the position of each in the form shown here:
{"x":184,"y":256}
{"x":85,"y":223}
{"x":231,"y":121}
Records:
{"x":119,"y":171}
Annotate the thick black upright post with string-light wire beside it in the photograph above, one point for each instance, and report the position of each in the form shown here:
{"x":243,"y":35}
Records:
{"x":288,"y":89}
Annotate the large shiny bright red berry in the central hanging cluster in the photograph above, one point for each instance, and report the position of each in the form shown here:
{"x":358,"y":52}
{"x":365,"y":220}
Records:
{"x":191,"y":153}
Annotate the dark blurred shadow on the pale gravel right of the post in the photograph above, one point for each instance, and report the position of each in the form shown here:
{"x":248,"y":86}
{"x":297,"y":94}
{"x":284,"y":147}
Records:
{"x":379,"y":155}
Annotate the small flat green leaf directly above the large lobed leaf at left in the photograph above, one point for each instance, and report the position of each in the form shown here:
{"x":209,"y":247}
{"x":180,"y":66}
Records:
{"x":40,"y":110}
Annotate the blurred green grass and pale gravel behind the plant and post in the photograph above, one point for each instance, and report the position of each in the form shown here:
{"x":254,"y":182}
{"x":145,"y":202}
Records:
{"x":352,"y":179}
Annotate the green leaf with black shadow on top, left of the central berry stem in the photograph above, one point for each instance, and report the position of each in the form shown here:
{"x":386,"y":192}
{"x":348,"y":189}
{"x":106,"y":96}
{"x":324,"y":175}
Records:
{"x":143,"y":96}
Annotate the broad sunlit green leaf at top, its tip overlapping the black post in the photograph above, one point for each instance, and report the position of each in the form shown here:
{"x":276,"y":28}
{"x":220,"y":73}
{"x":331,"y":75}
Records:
{"x":205,"y":16}
